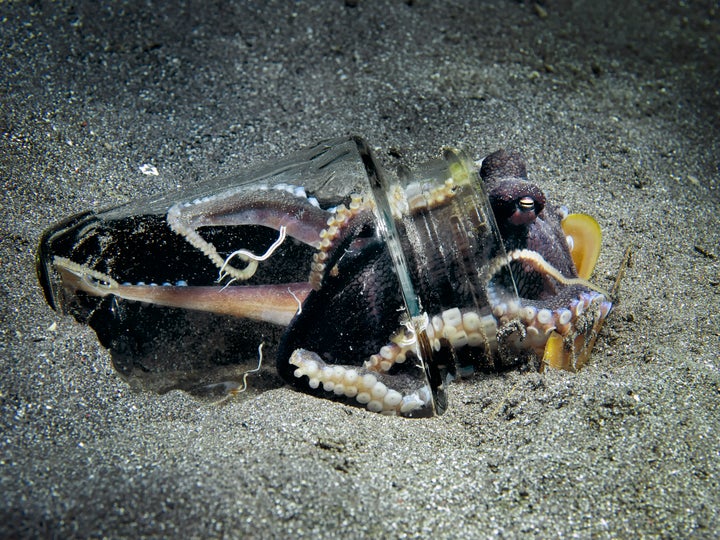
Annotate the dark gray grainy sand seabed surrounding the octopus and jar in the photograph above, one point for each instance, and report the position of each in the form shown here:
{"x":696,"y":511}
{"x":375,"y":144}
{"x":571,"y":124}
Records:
{"x":615,"y":108}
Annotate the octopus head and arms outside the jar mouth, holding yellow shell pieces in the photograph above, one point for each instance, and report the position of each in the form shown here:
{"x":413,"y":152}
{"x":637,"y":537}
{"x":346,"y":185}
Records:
{"x":551,"y":255}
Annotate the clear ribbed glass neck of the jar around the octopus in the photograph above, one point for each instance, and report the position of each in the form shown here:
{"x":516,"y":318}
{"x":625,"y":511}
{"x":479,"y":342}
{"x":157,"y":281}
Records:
{"x":450,"y":260}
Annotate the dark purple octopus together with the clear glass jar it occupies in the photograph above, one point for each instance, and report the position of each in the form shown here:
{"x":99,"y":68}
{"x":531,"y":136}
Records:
{"x":375,"y":296}
